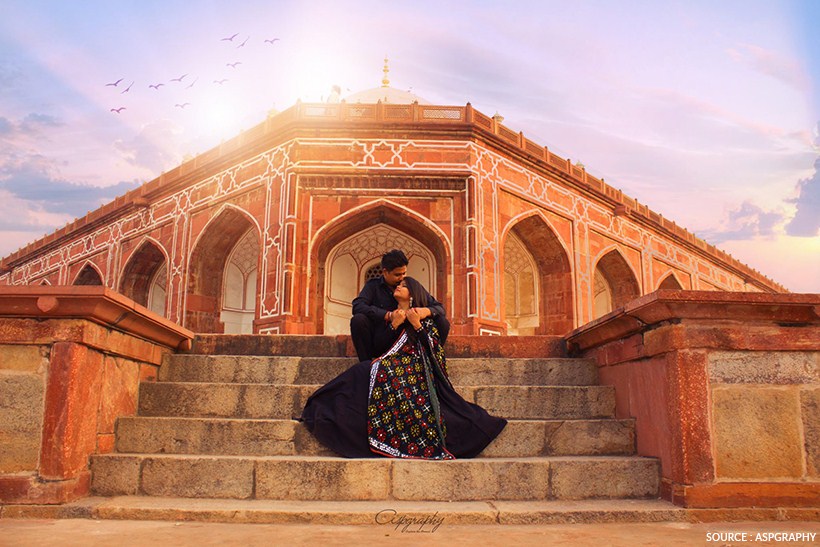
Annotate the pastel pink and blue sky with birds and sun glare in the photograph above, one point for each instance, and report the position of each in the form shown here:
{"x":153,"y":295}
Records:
{"x":707,"y":112}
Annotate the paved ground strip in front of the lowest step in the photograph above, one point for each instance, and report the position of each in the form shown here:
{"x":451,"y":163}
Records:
{"x":87,"y":532}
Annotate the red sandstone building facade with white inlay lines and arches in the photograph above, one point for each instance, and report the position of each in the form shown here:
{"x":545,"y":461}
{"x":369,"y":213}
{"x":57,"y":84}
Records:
{"x":452,"y":182}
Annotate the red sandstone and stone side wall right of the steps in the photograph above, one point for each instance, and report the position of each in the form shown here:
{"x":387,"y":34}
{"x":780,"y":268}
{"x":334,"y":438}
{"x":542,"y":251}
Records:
{"x":725,"y":389}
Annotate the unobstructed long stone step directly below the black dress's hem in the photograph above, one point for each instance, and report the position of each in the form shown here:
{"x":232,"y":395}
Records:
{"x":338,"y":479}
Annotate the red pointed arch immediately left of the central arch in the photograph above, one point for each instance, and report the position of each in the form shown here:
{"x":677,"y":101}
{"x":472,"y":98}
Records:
{"x":207,"y":264}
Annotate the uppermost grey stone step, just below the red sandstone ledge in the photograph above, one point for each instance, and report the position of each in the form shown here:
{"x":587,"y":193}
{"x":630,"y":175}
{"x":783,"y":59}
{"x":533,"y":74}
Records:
{"x":320,"y":370}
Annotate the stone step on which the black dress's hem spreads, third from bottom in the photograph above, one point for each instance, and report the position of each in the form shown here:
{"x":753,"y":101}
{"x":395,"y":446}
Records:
{"x":521,"y":438}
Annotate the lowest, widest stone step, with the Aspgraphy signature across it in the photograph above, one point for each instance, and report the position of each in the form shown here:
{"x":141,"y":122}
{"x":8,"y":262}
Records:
{"x":417,"y":516}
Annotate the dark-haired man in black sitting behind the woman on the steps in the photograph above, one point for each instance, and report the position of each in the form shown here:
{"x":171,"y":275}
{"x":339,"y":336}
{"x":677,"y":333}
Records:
{"x":370,"y":327}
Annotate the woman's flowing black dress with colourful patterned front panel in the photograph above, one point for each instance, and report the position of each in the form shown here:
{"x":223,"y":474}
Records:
{"x":401,"y":404}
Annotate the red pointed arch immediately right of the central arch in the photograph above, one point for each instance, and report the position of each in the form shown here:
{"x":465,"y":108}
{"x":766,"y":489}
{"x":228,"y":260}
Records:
{"x":554,"y":271}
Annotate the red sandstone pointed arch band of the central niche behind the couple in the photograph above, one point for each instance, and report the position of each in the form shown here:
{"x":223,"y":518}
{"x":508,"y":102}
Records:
{"x":366,"y":216}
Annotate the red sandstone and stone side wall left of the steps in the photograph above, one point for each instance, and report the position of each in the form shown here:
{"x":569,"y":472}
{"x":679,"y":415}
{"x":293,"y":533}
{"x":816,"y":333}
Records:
{"x":71,"y":360}
